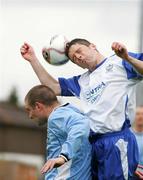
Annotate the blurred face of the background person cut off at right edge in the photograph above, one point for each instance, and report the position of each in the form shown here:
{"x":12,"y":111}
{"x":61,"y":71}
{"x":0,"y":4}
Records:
{"x":139,"y":116}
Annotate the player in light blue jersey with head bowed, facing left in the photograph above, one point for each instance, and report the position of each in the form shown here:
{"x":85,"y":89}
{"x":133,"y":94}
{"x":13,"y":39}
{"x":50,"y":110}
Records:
{"x":68,"y":148}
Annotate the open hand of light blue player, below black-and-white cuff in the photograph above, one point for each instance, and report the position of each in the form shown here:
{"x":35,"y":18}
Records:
{"x":52,"y":163}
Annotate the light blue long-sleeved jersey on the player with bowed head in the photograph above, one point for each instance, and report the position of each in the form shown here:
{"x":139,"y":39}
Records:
{"x":68,"y":132}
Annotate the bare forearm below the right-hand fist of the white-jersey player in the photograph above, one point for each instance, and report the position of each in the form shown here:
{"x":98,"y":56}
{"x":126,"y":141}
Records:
{"x":137,"y":64}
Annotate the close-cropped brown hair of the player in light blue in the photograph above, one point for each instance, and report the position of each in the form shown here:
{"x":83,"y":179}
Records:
{"x":42,"y":94}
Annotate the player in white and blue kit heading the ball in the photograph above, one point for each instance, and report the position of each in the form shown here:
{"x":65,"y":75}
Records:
{"x":107,"y":91}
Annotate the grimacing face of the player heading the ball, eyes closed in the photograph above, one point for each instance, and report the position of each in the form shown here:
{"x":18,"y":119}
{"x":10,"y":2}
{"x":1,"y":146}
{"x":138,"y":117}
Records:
{"x":83,"y":56}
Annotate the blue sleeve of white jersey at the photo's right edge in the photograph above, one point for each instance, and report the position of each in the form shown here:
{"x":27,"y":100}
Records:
{"x":131,"y":71}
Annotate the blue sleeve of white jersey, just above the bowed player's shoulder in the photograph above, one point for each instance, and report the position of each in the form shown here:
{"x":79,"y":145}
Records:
{"x":70,"y":87}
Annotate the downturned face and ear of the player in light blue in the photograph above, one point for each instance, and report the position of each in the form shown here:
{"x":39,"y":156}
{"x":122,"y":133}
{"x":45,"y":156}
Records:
{"x":36,"y":113}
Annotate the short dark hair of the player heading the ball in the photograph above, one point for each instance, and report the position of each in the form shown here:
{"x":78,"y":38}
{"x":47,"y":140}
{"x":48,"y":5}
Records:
{"x":75,"y":41}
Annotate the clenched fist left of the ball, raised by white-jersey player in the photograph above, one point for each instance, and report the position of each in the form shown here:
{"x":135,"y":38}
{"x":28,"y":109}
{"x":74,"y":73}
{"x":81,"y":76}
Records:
{"x":27,"y":52}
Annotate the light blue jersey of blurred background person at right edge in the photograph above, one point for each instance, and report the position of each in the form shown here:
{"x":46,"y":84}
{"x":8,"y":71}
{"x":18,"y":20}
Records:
{"x":139,"y":138}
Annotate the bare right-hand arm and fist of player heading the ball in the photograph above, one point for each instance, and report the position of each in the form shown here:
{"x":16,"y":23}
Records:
{"x":122,"y":52}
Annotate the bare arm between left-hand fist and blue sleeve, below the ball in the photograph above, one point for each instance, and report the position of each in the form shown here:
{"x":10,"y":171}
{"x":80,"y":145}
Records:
{"x":44,"y":77}
